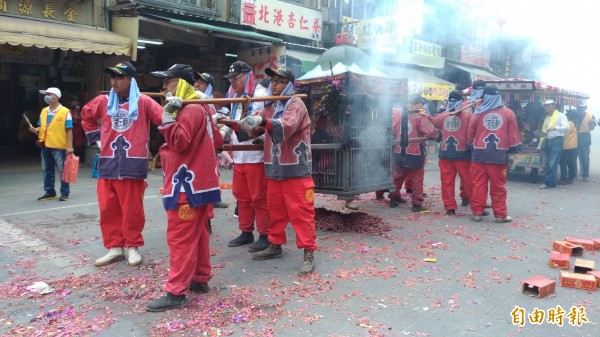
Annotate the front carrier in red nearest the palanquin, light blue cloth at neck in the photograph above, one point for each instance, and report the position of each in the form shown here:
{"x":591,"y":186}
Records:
{"x":288,"y":165}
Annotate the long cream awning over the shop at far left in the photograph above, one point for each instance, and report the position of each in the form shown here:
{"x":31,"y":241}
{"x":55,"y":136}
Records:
{"x":45,"y":34}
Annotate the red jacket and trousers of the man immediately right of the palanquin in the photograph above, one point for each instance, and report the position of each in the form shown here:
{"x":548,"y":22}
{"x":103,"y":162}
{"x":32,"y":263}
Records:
{"x":409,"y":162}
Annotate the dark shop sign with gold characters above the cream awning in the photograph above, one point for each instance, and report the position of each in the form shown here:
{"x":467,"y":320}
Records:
{"x":80,"y":12}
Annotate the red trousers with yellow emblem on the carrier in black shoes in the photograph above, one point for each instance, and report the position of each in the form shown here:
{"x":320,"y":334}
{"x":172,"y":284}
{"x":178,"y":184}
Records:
{"x":188,"y":241}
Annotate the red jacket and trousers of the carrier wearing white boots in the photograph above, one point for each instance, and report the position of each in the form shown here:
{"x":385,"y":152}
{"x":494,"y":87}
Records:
{"x":122,"y":166}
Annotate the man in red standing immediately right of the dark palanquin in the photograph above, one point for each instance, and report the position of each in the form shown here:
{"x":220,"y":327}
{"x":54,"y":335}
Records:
{"x":409,"y":159}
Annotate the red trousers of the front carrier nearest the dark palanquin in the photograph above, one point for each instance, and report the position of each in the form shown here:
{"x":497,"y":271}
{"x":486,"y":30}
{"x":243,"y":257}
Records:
{"x":292,"y":201}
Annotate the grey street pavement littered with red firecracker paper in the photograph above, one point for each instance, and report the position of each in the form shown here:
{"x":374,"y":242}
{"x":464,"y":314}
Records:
{"x":364,"y":285}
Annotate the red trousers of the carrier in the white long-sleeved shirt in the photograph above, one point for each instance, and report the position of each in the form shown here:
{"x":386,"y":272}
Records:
{"x":250,"y":191}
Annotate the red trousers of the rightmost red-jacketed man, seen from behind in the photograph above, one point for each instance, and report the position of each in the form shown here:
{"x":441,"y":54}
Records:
{"x":495,"y":175}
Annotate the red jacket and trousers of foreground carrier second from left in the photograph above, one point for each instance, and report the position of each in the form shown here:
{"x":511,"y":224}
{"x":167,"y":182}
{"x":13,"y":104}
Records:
{"x":191,"y":186}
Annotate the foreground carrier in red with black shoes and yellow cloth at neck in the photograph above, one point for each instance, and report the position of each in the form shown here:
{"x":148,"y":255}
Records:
{"x":191,"y":186}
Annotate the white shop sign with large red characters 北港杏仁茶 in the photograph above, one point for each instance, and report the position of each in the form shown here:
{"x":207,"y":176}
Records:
{"x":282,"y":17}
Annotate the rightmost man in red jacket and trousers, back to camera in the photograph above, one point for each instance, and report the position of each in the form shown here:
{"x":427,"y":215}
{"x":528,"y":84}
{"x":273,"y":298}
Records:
{"x":493,"y":134}
